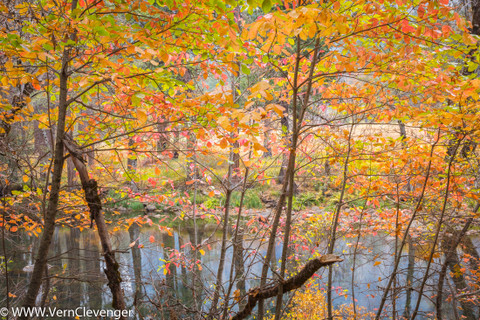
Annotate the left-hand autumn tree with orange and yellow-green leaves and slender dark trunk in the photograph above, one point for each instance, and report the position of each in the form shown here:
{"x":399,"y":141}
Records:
{"x":93,"y":56}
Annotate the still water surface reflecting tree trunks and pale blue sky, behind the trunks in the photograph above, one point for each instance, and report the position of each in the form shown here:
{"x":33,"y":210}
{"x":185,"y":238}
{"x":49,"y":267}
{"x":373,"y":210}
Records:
{"x":153,"y":277}
